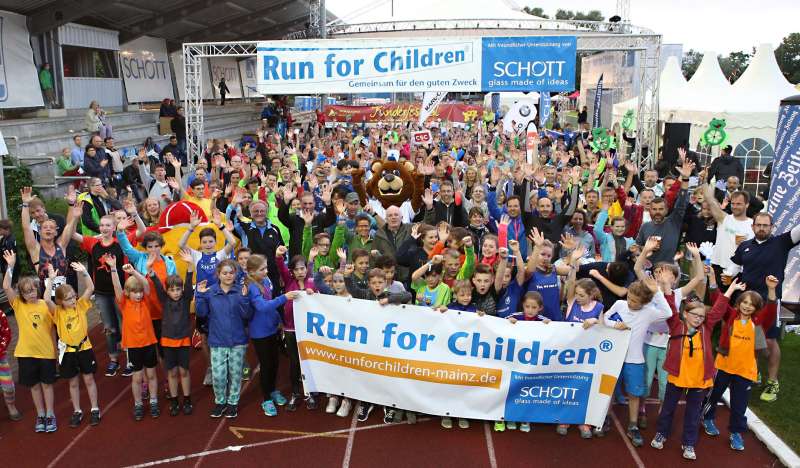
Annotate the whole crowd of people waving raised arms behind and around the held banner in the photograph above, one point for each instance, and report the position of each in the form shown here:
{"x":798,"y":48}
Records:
{"x":567,"y":235}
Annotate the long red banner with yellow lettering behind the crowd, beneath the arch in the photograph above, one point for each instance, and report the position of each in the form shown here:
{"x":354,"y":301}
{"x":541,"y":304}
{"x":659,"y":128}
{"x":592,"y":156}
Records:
{"x":462,"y":113}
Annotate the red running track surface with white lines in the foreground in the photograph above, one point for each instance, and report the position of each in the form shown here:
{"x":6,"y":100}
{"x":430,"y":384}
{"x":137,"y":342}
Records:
{"x":306,"y":439}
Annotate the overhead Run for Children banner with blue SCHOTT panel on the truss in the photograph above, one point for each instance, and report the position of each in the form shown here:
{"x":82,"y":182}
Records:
{"x":529,"y":63}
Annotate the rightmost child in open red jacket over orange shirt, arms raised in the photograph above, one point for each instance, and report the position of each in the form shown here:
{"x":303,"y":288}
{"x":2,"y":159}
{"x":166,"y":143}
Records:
{"x":736,"y":360}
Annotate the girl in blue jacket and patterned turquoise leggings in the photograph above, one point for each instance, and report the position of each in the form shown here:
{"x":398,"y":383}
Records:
{"x":227,"y":308}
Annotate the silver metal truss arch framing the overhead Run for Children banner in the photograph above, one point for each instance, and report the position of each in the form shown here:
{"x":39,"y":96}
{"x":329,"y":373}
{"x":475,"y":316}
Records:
{"x":591,"y":36}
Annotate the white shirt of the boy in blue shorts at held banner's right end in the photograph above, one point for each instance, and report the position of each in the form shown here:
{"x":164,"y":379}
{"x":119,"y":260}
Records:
{"x":638,"y":321}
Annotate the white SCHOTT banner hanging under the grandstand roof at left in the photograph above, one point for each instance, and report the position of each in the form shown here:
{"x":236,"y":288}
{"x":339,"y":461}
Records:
{"x":145,"y":69}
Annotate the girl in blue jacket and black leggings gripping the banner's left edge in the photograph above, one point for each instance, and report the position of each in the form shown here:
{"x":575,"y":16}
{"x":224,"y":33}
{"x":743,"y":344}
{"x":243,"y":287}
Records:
{"x":265,"y":328}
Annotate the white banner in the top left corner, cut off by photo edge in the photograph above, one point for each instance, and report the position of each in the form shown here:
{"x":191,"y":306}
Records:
{"x":19,"y":78}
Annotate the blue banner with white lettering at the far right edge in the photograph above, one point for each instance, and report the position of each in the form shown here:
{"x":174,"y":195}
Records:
{"x":784,"y":189}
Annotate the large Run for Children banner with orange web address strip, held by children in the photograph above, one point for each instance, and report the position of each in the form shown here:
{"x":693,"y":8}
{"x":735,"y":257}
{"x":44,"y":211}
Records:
{"x":457,"y":364}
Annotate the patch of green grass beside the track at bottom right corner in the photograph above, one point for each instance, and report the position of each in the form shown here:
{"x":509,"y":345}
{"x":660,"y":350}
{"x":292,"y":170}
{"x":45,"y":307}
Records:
{"x":783,"y":415}
